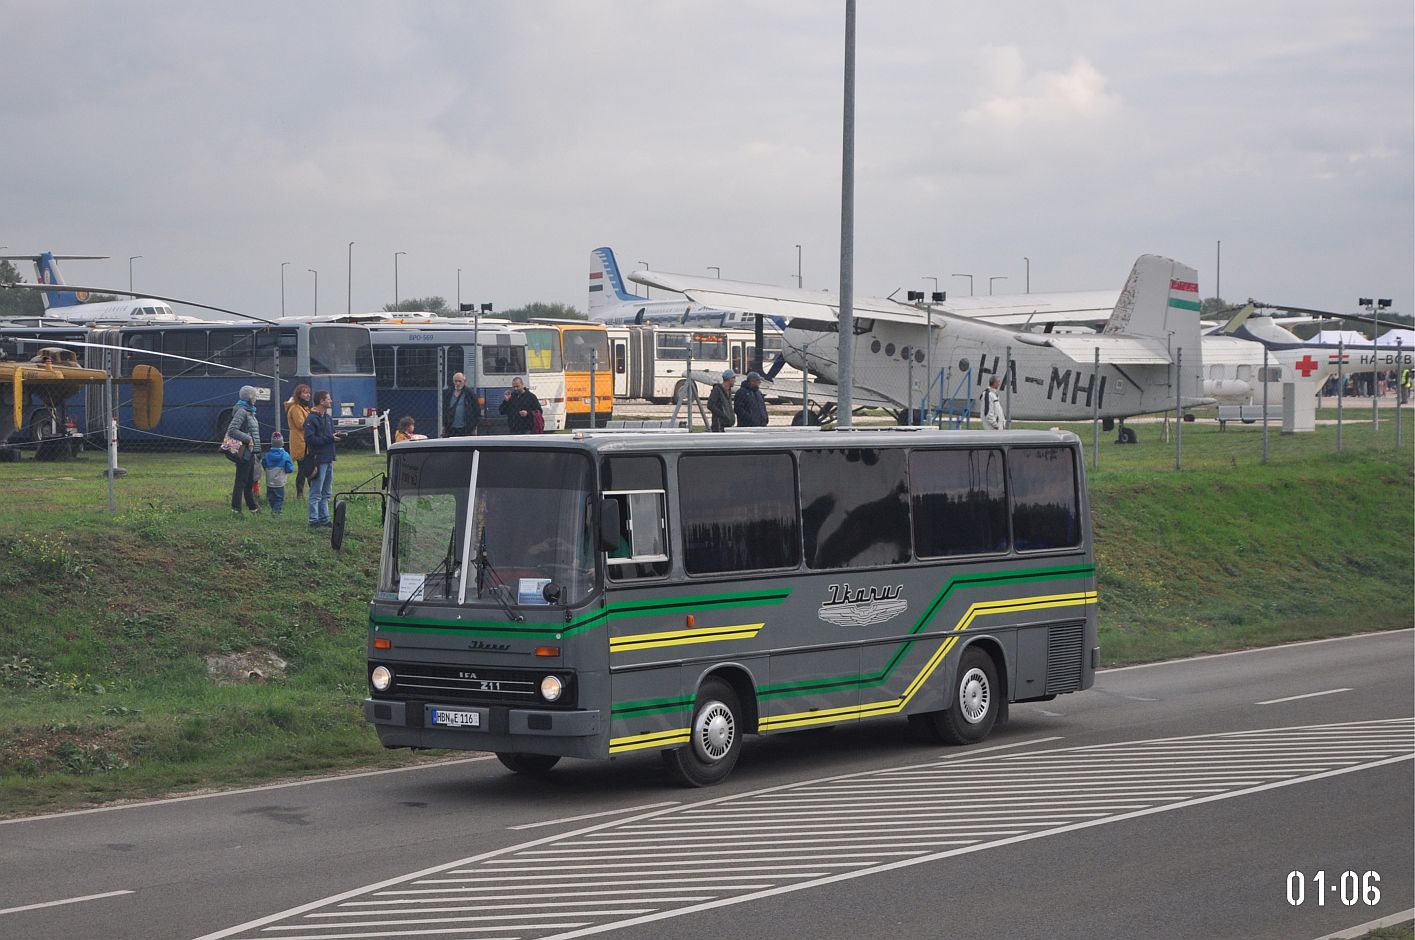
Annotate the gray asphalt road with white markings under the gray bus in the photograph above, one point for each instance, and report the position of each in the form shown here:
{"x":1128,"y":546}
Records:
{"x":1168,"y":802}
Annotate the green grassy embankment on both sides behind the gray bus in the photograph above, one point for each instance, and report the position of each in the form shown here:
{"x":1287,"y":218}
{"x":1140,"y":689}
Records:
{"x":110,"y":619}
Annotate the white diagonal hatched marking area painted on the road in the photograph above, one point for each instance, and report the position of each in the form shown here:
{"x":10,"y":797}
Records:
{"x":806,"y":835}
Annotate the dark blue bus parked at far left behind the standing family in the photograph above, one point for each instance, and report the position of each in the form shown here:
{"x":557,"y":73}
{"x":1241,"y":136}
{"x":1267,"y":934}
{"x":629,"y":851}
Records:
{"x":200,"y":390}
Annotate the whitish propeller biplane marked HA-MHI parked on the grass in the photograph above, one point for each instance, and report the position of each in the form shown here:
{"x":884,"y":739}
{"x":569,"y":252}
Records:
{"x":1150,"y":350}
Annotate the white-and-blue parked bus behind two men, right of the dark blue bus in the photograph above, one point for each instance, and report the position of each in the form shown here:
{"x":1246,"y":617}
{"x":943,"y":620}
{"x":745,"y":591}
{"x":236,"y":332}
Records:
{"x":415,"y":363}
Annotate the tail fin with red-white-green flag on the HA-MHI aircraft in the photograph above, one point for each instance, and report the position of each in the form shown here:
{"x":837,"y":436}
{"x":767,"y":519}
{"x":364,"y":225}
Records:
{"x":1161,"y":302}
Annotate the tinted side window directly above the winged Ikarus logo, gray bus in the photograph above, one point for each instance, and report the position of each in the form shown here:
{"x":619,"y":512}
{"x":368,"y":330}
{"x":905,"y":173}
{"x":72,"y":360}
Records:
{"x":854,"y":508}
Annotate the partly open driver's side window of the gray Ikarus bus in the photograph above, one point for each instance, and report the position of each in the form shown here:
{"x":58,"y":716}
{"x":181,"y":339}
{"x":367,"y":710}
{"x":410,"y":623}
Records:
{"x":637,"y":485}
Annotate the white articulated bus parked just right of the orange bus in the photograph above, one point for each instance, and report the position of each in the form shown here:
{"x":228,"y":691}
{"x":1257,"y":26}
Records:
{"x":650,"y":360}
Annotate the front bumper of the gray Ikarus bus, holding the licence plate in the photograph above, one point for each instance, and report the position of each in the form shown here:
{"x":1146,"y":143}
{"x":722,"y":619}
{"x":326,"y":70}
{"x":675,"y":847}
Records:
{"x":568,"y":733}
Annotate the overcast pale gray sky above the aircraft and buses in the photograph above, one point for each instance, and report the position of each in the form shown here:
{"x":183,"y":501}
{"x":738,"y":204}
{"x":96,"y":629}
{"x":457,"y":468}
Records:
{"x":510,"y":138}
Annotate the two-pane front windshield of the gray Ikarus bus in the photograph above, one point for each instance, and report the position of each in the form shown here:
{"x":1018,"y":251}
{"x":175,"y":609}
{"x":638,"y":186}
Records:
{"x":530,"y":529}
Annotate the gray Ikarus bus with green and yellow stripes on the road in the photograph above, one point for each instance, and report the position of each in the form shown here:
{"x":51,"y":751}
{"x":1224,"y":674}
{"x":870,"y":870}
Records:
{"x":599,"y":594}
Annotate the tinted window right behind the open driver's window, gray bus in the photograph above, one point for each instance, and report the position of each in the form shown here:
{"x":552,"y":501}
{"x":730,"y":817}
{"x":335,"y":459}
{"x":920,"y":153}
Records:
{"x":738,"y":527}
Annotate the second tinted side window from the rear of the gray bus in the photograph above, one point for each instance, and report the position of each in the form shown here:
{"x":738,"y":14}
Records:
{"x":960,"y":502}
